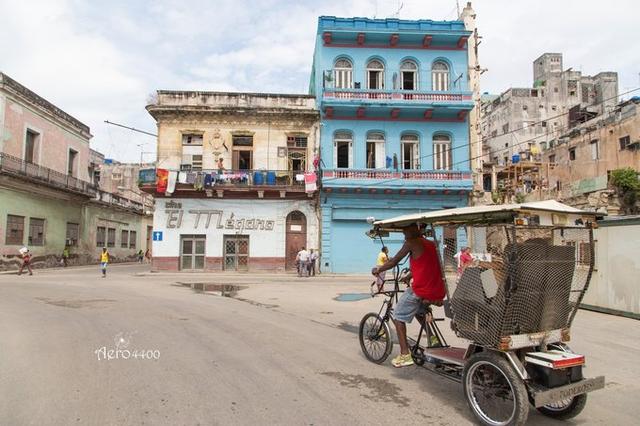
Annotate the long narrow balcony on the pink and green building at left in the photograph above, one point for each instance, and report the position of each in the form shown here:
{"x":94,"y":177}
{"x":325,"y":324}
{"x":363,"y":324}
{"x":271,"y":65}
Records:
{"x":17,"y":167}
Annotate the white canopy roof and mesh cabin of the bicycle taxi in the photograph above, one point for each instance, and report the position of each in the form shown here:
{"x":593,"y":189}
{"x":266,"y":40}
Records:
{"x":532,"y":265}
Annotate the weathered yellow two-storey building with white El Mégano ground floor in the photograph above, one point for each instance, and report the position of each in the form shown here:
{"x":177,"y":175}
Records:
{"x":235,"y":166}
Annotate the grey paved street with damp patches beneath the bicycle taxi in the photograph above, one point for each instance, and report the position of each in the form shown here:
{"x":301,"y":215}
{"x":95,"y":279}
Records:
{"x":279,"y":351}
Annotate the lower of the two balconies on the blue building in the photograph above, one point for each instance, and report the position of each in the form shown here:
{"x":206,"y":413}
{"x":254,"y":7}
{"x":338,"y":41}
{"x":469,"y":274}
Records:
{"x":371,"y":180}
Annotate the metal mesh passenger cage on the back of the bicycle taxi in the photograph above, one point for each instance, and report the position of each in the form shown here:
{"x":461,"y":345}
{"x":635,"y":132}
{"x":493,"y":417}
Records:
{"x":522,"y":281}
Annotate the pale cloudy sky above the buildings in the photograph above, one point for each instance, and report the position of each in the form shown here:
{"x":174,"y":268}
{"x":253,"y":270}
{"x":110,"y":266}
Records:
{"x":101,"y":60}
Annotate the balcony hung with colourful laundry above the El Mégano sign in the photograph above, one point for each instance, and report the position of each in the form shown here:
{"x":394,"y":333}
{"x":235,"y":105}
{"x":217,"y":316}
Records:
{"x":234,"y":183}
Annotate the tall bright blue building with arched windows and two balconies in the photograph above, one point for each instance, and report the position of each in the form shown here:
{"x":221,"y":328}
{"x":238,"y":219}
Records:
{"x":394,"y":99}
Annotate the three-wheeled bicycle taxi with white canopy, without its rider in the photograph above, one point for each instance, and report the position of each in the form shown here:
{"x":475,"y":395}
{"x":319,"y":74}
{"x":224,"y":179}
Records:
{"x":514,"y":304}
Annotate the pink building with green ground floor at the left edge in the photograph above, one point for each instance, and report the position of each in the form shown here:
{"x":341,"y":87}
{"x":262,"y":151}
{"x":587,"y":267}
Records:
{"x":50,"y":197}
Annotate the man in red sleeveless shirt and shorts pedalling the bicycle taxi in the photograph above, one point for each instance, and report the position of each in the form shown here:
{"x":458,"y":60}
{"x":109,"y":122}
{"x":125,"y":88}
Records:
{"x":427,"y":286}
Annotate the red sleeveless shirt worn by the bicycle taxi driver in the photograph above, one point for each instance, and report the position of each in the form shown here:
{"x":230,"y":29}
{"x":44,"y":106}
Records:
{"x":427,"y":275}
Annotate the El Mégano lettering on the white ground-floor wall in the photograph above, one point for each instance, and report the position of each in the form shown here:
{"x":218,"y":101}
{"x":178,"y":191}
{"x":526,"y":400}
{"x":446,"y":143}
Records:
{"x":213,"y":218}
